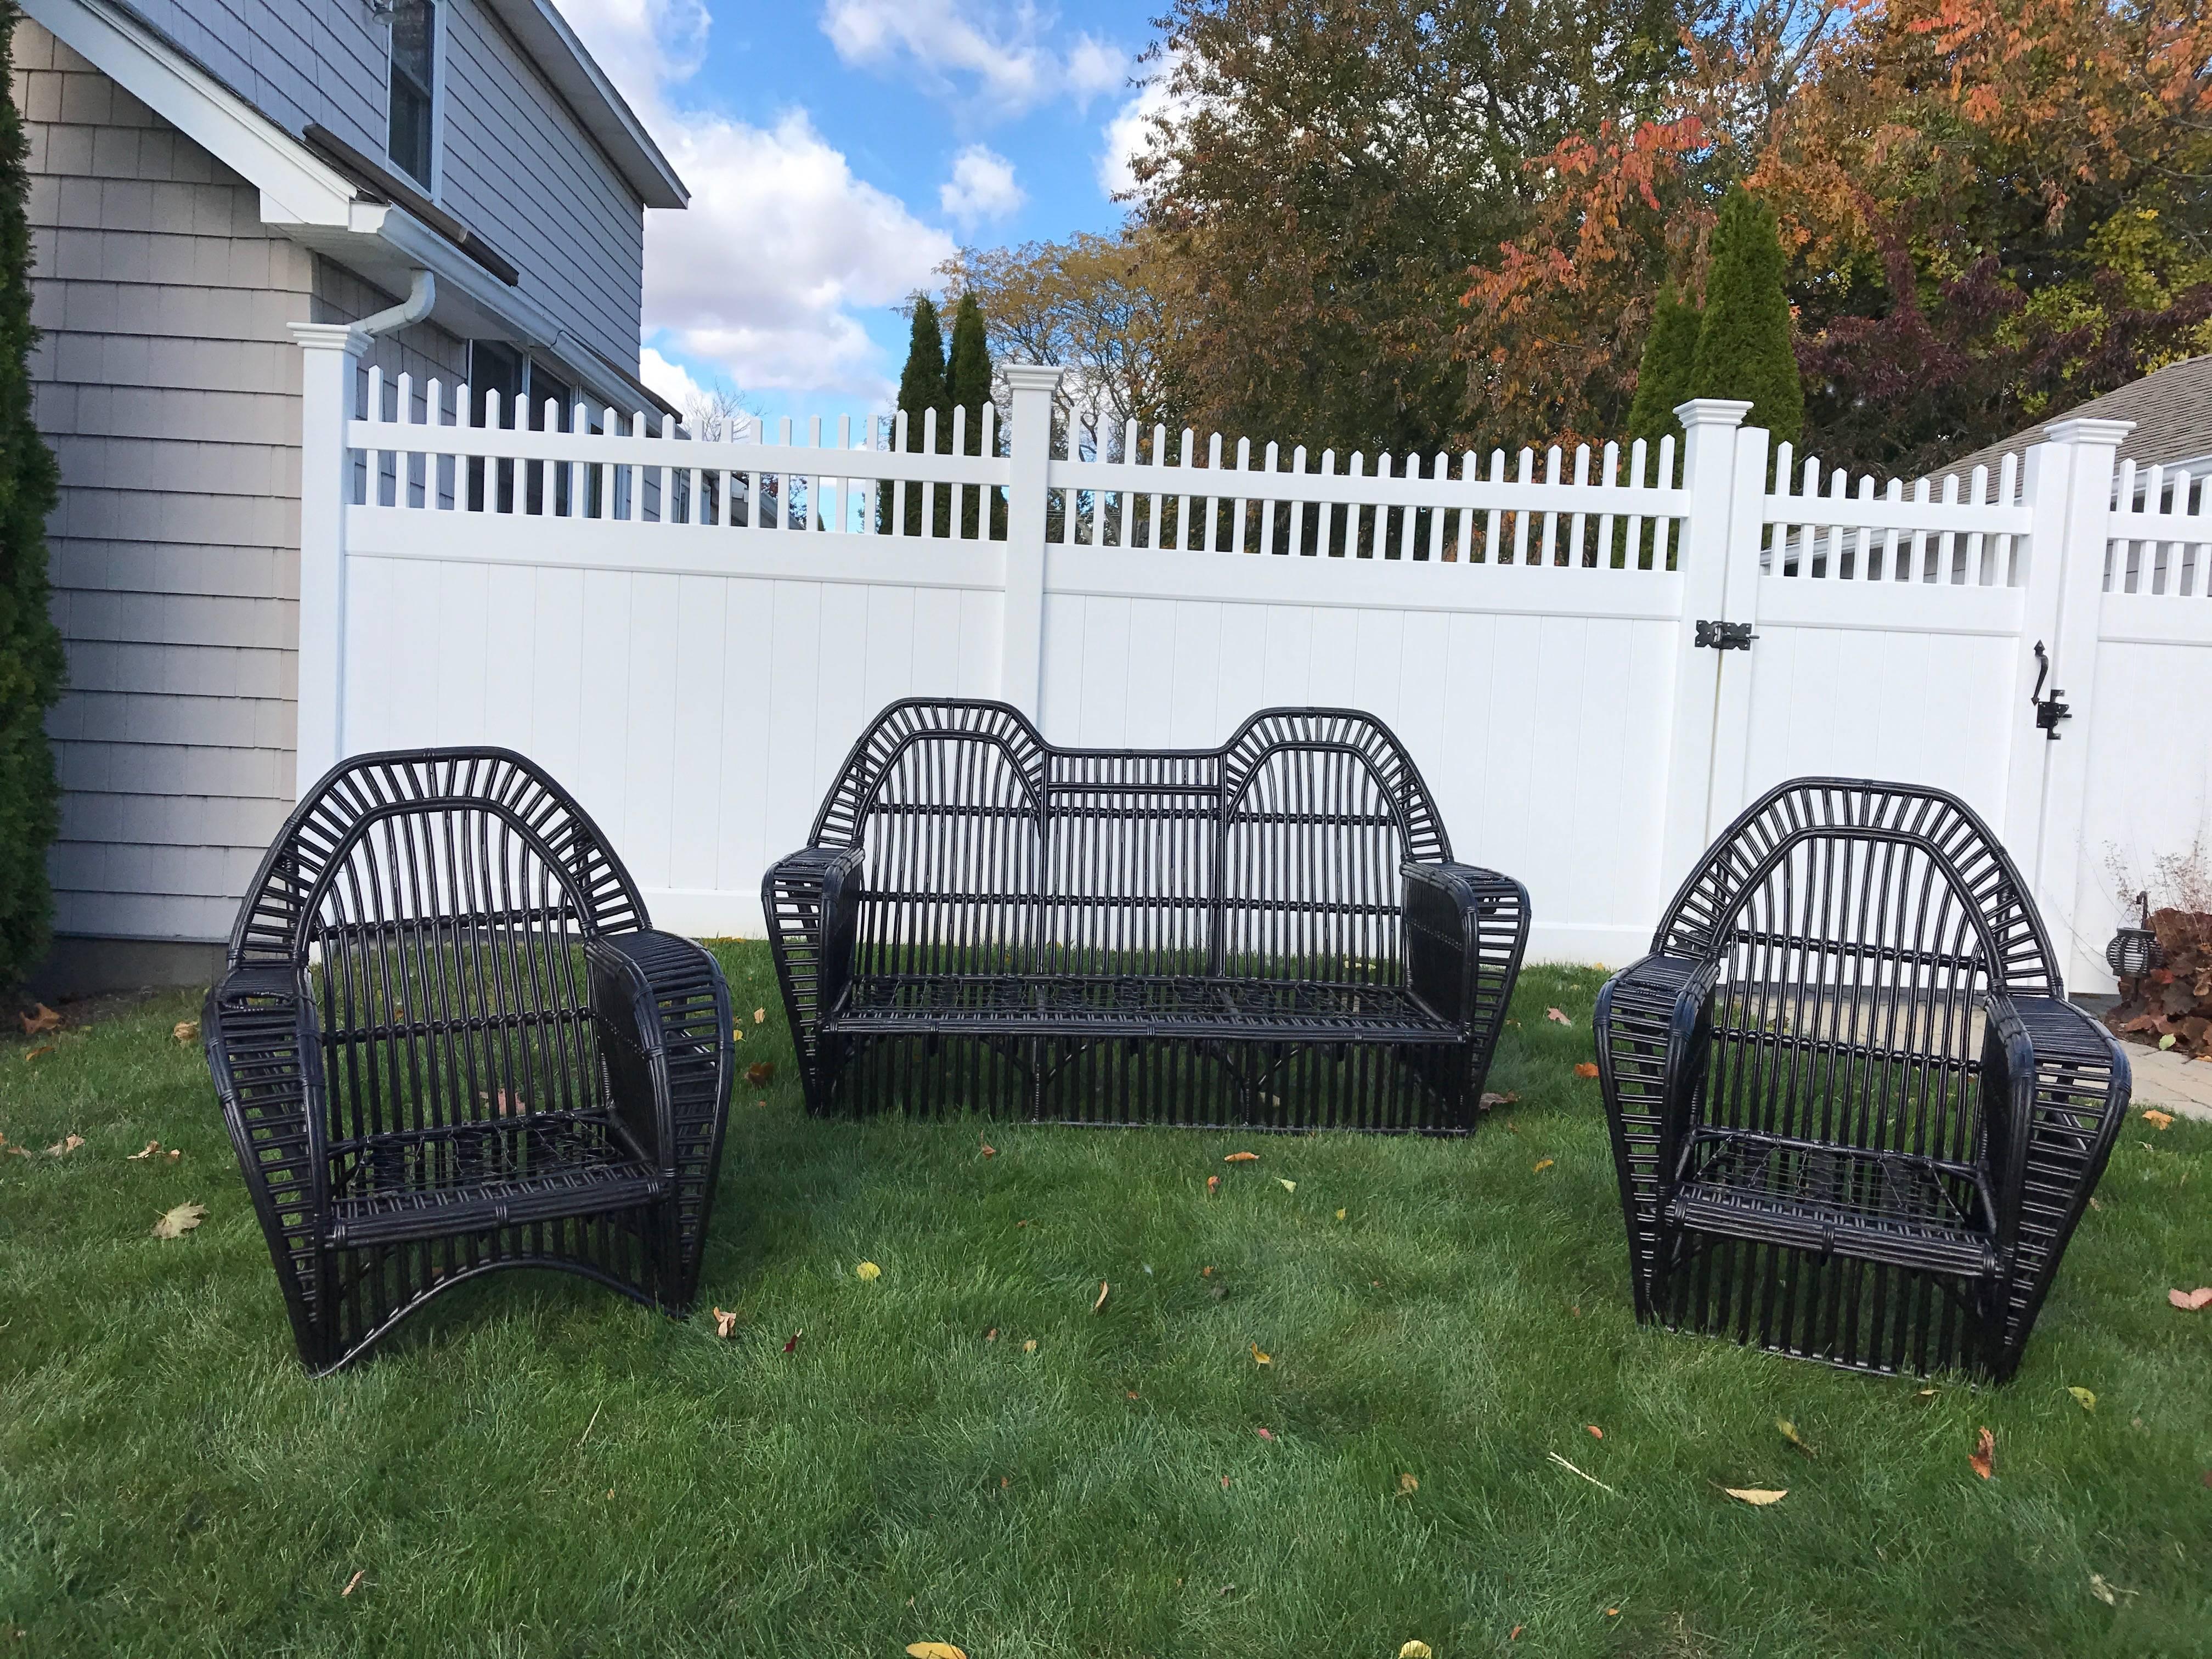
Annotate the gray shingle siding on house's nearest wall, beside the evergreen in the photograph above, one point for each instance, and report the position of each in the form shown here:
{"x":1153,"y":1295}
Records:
{"x":169,"y":390}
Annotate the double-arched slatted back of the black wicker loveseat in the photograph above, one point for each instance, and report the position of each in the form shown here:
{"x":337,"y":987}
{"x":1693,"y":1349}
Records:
{"x":990,"y":851}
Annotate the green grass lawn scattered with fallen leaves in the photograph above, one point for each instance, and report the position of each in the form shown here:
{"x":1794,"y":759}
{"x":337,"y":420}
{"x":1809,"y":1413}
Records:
{"x":539,"y":1468}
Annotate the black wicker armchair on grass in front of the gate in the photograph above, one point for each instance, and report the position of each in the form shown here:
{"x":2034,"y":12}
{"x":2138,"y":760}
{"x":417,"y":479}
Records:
{"x":1853,"y":1112}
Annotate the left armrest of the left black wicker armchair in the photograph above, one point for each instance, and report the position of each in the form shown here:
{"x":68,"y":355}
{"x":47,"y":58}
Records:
{"x":267,"y":1056}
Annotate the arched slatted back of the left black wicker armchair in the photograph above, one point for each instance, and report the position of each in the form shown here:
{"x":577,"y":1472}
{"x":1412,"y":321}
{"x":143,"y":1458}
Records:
{"x":439,"y":904}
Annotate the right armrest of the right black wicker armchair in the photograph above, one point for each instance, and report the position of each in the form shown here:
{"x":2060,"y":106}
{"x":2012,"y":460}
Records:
{"x":2054,"y":1096}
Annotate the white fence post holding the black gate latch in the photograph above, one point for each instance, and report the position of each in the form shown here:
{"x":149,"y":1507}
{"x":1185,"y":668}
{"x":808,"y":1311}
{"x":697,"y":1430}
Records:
{"x":2047,"y":784}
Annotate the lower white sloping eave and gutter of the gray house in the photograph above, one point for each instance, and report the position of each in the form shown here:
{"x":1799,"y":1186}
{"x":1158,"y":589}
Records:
{"x":322,"y":200}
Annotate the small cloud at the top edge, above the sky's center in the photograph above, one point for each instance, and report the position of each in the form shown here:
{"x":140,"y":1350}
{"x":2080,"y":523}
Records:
{"x":992,"y":52}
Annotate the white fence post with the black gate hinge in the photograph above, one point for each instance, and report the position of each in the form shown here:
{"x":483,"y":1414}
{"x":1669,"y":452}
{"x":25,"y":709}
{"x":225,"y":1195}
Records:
{"x":1702,"y":561}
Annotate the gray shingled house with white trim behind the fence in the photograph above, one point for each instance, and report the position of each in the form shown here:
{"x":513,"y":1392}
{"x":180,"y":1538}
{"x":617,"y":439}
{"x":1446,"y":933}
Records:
{"x":207,"y":174}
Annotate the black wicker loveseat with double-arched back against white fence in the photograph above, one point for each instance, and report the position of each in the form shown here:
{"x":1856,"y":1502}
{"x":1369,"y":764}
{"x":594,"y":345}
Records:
{"x":1269,"y":935}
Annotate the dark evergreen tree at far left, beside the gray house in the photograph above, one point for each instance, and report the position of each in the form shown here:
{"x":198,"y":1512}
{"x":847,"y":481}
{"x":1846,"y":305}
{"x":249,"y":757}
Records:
{"x":30,"y":643}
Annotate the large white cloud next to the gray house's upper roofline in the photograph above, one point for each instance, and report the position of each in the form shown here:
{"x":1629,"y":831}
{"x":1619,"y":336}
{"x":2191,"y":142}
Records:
{"x":780,"y":244}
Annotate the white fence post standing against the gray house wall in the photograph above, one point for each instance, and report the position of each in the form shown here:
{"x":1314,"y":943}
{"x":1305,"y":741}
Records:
{"x":326,"y":483}
